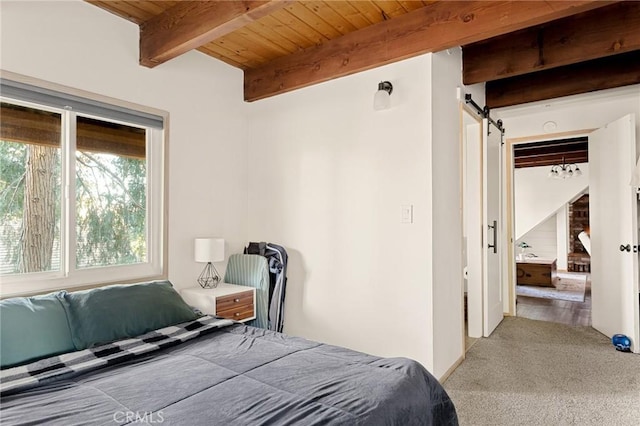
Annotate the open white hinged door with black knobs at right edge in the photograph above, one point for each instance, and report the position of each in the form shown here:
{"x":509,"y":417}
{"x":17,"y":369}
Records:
{"x":613,"y":220}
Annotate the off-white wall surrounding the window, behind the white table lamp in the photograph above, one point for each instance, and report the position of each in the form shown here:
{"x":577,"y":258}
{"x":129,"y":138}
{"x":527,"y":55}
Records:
{"x":81,"y":46}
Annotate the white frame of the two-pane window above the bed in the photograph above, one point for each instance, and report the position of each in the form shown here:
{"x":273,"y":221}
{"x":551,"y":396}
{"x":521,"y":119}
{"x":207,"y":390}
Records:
{"x":68,"y":277}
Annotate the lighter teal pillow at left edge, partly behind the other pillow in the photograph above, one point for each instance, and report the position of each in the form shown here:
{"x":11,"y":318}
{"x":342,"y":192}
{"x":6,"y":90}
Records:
{"x":33,"y":328}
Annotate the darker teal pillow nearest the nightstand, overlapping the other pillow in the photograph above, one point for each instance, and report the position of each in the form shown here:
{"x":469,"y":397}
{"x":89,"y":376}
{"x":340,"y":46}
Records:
{"x":116,"y":312}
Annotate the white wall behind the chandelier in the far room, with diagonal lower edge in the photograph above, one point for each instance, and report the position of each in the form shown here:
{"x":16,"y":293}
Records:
{"x":538,"y":197}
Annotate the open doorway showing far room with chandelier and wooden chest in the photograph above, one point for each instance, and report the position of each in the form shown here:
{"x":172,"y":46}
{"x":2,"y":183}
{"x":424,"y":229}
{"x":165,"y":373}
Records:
{"x":550,"y":211}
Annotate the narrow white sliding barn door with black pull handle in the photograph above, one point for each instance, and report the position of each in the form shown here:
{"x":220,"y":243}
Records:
{"x":491,"y":229}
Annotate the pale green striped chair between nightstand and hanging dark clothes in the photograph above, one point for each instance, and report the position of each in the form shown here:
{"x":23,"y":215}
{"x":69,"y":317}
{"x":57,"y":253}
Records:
{"x":252,"y":270}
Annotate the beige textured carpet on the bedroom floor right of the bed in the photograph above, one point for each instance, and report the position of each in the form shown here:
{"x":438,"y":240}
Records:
{"x":539,"y":373}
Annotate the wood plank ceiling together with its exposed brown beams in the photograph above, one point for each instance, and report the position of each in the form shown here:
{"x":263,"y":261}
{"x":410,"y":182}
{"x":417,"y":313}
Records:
{"x":524,"y":50}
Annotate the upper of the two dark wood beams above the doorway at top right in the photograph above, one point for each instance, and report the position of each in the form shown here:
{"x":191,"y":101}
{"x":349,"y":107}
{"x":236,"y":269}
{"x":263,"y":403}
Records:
{"x":589,"y":35}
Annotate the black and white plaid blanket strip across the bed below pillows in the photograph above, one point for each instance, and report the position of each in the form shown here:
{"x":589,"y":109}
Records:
{"x":72,"y":363}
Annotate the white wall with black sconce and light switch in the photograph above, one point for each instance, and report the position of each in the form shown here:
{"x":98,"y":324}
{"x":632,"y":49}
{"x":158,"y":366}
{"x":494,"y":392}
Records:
{"x":328,"y":177}
